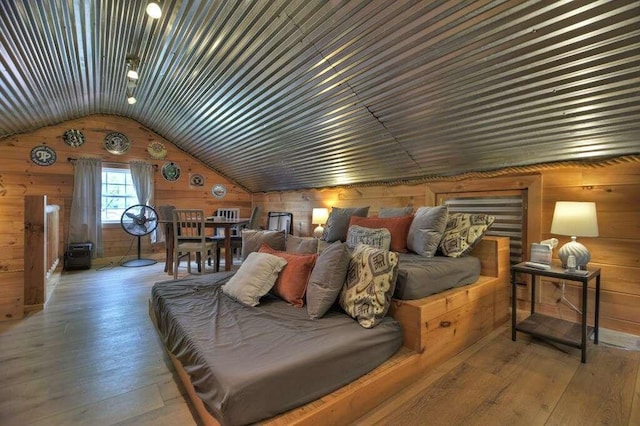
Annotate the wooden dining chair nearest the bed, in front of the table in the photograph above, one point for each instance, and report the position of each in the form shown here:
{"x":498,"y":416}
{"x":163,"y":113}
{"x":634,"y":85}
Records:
{"x":190,"y":237}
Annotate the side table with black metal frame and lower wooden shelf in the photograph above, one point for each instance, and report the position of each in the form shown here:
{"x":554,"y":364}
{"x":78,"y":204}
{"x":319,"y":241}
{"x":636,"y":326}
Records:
{"x":551,"y":328}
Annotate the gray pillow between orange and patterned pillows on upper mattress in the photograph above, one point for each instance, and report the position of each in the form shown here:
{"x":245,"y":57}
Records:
{"x":427,"y":229}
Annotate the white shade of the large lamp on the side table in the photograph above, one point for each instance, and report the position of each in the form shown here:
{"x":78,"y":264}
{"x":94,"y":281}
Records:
{"x":576,"y":219}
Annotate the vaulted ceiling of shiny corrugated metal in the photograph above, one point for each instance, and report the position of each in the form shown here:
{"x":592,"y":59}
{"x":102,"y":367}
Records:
{"x":296,"y":94}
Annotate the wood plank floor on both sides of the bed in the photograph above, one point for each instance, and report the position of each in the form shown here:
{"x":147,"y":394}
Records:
{"x":92,"y":357}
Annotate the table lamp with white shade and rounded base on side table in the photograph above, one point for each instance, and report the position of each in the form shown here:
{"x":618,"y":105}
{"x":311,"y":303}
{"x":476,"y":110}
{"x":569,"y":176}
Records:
{"x":575,"y":219}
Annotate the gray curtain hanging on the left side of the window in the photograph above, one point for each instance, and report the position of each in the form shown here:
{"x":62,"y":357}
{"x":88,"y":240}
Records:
{"x":85,"y":223}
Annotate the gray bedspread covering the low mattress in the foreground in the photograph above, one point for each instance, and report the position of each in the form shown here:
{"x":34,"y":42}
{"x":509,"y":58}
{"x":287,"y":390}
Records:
{"x":248,"y":364}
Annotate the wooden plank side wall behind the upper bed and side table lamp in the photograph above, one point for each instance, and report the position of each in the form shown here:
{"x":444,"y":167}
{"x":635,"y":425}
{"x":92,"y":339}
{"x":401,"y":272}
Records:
{"x":614,"y":186}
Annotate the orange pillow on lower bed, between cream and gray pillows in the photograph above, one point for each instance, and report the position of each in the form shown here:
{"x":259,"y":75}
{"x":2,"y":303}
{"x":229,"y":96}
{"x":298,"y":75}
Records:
{"x":291,"y":284}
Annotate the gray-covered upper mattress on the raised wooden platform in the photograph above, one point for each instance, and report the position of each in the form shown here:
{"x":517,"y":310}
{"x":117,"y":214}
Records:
{"x":420,"y":276}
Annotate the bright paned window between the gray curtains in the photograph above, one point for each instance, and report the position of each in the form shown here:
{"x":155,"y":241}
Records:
{"x":118,"y":193}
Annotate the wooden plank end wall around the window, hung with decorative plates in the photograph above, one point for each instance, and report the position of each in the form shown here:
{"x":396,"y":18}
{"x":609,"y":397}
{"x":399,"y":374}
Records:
{"x":20,"y":177}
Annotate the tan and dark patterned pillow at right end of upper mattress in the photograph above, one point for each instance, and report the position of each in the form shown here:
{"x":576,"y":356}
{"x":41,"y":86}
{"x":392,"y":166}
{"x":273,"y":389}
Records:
{"x":463,"y":232}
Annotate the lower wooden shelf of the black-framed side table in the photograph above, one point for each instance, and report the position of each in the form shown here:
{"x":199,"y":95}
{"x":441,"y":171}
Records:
{"x":555,"y":329}
